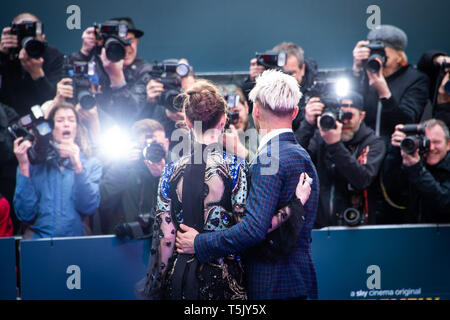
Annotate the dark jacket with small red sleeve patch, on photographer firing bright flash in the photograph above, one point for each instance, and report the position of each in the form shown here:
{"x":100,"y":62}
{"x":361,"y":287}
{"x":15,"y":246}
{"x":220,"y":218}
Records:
{"x":339,"y":170}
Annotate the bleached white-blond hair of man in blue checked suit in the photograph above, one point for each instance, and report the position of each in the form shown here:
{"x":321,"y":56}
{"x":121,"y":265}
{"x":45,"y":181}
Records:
{"x":276,"y":91}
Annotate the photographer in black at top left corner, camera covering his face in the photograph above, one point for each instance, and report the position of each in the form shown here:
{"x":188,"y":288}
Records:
{"x":29,"y":68}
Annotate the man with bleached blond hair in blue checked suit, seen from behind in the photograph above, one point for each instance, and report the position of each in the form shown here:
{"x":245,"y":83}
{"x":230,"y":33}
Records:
{"x":292,"y":275}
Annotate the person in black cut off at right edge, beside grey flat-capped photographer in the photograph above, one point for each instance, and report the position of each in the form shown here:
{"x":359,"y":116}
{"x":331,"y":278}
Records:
{"x":436,"y":64}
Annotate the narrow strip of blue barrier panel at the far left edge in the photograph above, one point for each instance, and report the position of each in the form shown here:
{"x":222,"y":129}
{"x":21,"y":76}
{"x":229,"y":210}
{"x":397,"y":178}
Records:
{"x":8,"y":290}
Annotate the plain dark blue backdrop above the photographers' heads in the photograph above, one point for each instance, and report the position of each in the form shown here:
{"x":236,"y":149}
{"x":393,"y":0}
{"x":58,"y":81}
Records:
{"x":220,"y":35}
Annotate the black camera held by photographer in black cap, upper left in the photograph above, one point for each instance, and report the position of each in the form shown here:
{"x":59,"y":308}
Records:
{"x":112,"y":34}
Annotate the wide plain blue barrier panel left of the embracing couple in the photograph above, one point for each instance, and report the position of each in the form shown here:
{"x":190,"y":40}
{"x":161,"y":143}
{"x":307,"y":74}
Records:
{"x":102,"y":267}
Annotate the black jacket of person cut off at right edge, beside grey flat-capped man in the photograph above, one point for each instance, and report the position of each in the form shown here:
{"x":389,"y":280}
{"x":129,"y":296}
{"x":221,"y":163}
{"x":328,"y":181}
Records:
{"x":435,"y":74}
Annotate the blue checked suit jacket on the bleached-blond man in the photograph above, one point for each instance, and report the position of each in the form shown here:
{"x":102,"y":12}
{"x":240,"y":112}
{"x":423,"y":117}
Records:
{"x":293,"y":275}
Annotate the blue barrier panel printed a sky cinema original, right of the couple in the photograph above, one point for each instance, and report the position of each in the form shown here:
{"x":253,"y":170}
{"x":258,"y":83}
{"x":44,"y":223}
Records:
{"x":385,"y":262}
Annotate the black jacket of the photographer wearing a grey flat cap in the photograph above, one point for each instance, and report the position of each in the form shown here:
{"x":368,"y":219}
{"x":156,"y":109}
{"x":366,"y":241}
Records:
{"x":409,"y":89}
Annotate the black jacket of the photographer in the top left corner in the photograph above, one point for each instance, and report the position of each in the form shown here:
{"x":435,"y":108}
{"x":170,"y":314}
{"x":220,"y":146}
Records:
{"x":20,"y":91}
